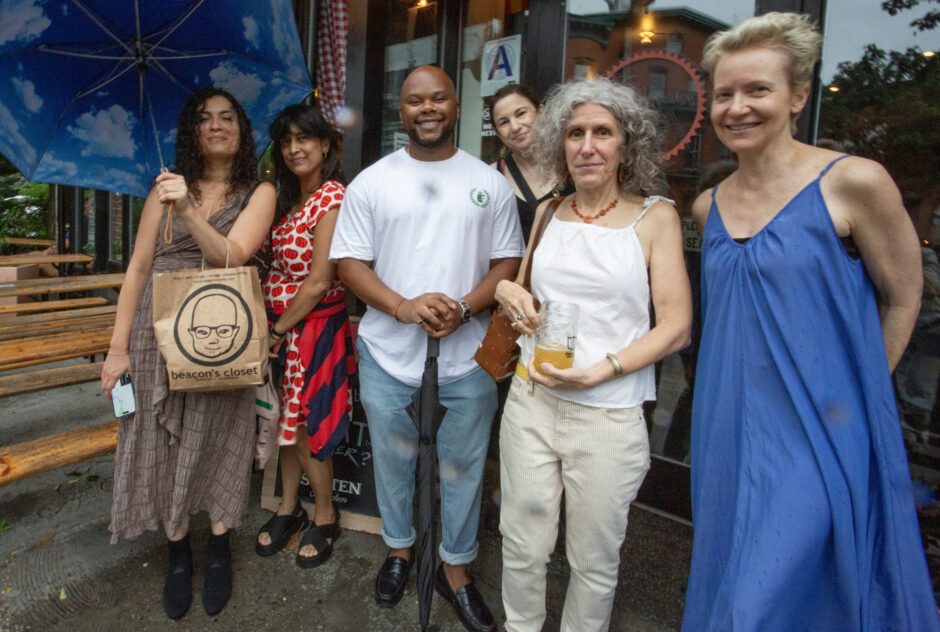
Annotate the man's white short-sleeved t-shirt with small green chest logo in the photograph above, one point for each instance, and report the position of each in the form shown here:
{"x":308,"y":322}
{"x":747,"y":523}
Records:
{"x":427,"y":227}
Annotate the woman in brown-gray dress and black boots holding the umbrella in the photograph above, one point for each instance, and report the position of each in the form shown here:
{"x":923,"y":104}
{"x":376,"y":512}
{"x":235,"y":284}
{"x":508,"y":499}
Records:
{"x":181,"y":452}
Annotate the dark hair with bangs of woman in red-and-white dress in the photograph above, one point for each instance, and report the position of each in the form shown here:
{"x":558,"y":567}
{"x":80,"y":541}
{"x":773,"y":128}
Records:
{"x":311,"y":122}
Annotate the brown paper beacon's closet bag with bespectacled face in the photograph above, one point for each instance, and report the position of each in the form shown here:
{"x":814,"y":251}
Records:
{"x":211,"y":328}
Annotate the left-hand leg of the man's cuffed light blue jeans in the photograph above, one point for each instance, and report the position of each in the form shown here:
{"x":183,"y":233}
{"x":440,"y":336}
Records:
{"x":394,"y":448}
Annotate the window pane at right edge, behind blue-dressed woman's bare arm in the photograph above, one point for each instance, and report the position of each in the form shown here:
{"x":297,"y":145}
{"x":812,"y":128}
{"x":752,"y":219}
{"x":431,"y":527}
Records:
{"x":881,"y":100}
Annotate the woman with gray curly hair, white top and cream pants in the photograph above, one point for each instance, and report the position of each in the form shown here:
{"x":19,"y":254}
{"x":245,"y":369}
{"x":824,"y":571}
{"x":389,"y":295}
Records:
{"x":606,"y":248}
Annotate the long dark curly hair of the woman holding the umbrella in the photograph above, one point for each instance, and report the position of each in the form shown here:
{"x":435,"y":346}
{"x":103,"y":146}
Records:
{"x":190,"y":162}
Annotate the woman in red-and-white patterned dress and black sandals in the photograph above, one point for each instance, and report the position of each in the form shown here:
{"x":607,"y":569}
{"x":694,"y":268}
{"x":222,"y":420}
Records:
{"x":309,"y":330}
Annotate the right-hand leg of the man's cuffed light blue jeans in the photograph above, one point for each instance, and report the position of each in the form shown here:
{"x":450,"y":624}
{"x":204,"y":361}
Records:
{"x":462,"y":442}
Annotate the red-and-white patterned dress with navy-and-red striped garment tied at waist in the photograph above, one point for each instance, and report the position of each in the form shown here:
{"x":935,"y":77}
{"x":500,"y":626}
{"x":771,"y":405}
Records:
{"x":317,"y":352}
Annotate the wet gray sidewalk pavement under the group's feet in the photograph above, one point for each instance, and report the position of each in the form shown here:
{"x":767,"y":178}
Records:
{"x":58,"y":572}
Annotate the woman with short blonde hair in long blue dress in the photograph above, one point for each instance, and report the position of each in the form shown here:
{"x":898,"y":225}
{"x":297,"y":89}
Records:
{"x":802,"y":504}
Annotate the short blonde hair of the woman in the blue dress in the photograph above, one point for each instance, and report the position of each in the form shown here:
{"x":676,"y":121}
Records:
{"x":793,"y":34}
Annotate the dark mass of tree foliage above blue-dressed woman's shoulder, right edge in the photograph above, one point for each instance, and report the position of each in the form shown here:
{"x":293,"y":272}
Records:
{"x":888,"y":109}
